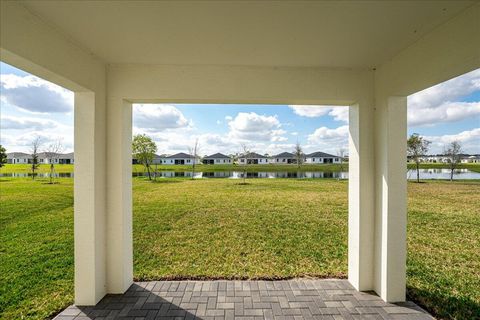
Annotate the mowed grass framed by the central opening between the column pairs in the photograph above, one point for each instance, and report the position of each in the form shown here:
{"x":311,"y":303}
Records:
{"x":222,"y":229}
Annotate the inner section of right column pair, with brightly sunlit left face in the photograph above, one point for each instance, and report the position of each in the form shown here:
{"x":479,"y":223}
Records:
{"x":361,"y":195}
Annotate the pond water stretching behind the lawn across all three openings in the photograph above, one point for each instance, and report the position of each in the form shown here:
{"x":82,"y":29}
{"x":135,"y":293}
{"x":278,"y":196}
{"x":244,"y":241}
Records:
{"x":425,"y":174}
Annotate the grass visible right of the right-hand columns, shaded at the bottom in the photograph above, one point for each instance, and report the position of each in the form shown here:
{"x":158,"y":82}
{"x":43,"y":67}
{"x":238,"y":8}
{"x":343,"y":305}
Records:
{"x":443,"y":271}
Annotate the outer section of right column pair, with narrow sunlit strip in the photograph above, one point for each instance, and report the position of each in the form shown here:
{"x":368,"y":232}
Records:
{"x":391,"y":198}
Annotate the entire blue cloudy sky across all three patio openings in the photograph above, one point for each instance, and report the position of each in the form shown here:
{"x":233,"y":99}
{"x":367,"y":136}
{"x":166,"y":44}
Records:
{"x":32,"y":107}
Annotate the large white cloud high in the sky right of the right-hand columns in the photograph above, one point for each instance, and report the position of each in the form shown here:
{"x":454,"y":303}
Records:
{"x":438,"y":104}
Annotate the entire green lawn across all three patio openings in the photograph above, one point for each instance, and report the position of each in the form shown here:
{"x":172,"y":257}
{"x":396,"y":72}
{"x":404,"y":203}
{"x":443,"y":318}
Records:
{"x":217,"y":228}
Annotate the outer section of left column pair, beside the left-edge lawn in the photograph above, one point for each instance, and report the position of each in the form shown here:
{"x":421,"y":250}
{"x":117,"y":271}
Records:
{"x":89,"y":198}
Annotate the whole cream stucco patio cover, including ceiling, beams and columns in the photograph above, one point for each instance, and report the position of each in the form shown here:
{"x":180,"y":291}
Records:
{"x":369,"y":55}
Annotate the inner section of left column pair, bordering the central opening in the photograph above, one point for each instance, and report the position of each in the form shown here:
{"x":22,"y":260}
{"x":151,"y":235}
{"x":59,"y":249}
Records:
{"x":119,"y":196}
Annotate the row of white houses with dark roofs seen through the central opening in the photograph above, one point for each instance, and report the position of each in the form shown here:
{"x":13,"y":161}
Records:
{"x":250,"y":158}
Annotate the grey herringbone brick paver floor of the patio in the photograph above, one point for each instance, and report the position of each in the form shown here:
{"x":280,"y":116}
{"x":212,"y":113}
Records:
{"x":252,"y":300}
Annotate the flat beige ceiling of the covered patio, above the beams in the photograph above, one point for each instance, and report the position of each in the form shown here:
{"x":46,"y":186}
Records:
{"x":331,"y":34}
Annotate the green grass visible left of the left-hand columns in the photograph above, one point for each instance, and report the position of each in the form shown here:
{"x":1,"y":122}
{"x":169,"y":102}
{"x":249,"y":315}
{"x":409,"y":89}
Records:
{"x":36,"y":248}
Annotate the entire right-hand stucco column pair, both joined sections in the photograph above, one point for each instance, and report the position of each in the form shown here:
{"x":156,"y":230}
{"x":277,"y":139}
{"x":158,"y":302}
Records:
{"x":377,"y":198}
